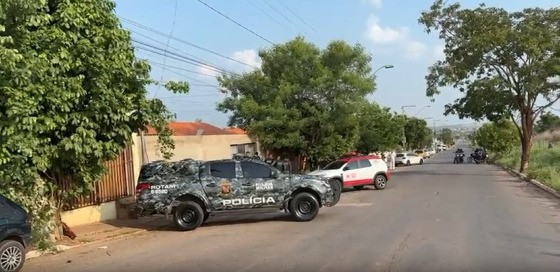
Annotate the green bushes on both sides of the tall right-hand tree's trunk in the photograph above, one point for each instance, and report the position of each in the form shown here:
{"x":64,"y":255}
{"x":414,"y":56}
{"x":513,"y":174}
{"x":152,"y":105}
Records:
{"x":543,"y":166}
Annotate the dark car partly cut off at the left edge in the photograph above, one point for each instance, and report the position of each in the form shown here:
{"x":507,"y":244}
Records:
{"x":15,"y":235}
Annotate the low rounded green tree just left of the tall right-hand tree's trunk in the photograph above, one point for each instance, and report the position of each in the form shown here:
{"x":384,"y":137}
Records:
{"x":498,"y":137}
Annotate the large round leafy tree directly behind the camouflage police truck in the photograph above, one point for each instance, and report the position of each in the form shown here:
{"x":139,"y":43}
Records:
{"x":303,"y":100}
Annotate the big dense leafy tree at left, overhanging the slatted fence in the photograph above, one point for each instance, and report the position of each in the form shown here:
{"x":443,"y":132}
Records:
{"x":71,"y":94}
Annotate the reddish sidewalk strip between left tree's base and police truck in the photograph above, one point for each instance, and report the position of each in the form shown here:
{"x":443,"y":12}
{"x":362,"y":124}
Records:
{"x":106,"y":231}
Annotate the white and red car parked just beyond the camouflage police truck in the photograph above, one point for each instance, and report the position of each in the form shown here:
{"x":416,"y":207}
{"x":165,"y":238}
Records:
{"x":357,"y":171}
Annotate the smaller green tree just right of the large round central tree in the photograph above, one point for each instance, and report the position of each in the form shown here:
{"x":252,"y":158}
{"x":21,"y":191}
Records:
{"x":380,"y":130}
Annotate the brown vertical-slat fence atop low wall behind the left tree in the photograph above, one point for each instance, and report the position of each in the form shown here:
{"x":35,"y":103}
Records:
{"x":116,"y":183}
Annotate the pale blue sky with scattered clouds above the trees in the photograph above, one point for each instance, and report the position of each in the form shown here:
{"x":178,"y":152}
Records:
{"x":388,"y":29}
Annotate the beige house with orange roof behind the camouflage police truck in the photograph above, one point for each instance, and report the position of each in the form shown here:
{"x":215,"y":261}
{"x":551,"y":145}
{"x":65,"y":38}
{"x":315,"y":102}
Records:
{"x":198,"y":141}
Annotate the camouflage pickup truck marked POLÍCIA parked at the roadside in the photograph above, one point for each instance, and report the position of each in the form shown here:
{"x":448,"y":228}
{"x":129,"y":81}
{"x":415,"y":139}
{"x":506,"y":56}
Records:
{"x":192,"y":190}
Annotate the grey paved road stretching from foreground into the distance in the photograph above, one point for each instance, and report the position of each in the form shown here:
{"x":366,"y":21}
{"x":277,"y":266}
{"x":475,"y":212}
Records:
{"x":434,"y":217}
